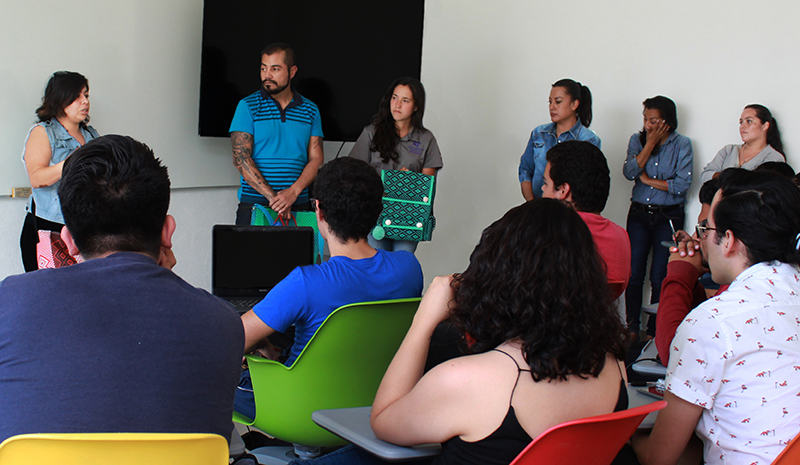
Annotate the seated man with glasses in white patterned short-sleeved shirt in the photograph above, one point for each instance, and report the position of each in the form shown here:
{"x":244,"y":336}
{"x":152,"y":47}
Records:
{"x":734,"y":370}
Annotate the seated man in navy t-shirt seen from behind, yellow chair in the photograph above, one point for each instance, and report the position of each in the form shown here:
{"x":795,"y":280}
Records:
{"x":116,"y":343}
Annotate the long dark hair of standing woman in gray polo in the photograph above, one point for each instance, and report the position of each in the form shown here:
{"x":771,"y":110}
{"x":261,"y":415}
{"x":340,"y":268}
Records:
{"x":386,"y":138}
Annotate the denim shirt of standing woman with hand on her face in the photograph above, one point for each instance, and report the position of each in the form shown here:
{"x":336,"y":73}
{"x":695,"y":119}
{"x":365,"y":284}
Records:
{"x":671,"y":162}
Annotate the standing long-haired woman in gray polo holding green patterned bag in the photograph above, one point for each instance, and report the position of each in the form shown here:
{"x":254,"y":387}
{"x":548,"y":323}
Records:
{"x":396,"y":140}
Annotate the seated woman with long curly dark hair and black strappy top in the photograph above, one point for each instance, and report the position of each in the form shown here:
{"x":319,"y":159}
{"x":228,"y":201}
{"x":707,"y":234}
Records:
{"x":547,"y":345}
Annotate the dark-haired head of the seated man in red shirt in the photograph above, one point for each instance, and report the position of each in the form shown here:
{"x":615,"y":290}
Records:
{"x":584,"y":167}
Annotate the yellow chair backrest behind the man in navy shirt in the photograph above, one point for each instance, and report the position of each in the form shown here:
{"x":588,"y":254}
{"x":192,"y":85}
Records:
{"x":116,"y":448}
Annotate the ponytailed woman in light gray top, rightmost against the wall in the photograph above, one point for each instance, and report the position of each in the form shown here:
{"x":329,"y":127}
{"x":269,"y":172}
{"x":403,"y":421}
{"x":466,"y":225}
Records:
{"x":761,"y":143}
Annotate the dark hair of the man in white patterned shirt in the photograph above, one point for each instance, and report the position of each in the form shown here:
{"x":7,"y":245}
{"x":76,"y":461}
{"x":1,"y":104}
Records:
{"x":762,"y":209}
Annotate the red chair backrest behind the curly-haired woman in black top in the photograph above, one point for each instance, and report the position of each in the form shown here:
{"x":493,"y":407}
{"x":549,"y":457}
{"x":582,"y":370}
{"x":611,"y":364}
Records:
{"x":588,"y":441}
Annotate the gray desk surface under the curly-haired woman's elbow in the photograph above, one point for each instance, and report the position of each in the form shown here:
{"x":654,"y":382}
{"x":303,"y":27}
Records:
{"x":353,"y":424}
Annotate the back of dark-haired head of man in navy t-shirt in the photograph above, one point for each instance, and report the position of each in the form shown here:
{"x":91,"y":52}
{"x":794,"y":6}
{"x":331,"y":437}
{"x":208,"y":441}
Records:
{"x":114,"y":195}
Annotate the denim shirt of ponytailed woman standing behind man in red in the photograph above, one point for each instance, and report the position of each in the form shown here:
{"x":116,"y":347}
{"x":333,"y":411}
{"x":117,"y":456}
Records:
{"x":543,"y":138}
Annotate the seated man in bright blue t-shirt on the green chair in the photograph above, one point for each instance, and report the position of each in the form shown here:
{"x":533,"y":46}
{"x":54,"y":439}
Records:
{"x":347,"y":196}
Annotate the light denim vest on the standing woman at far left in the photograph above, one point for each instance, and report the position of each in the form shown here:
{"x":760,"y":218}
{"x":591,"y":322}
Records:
{"x":62,"y":144}
